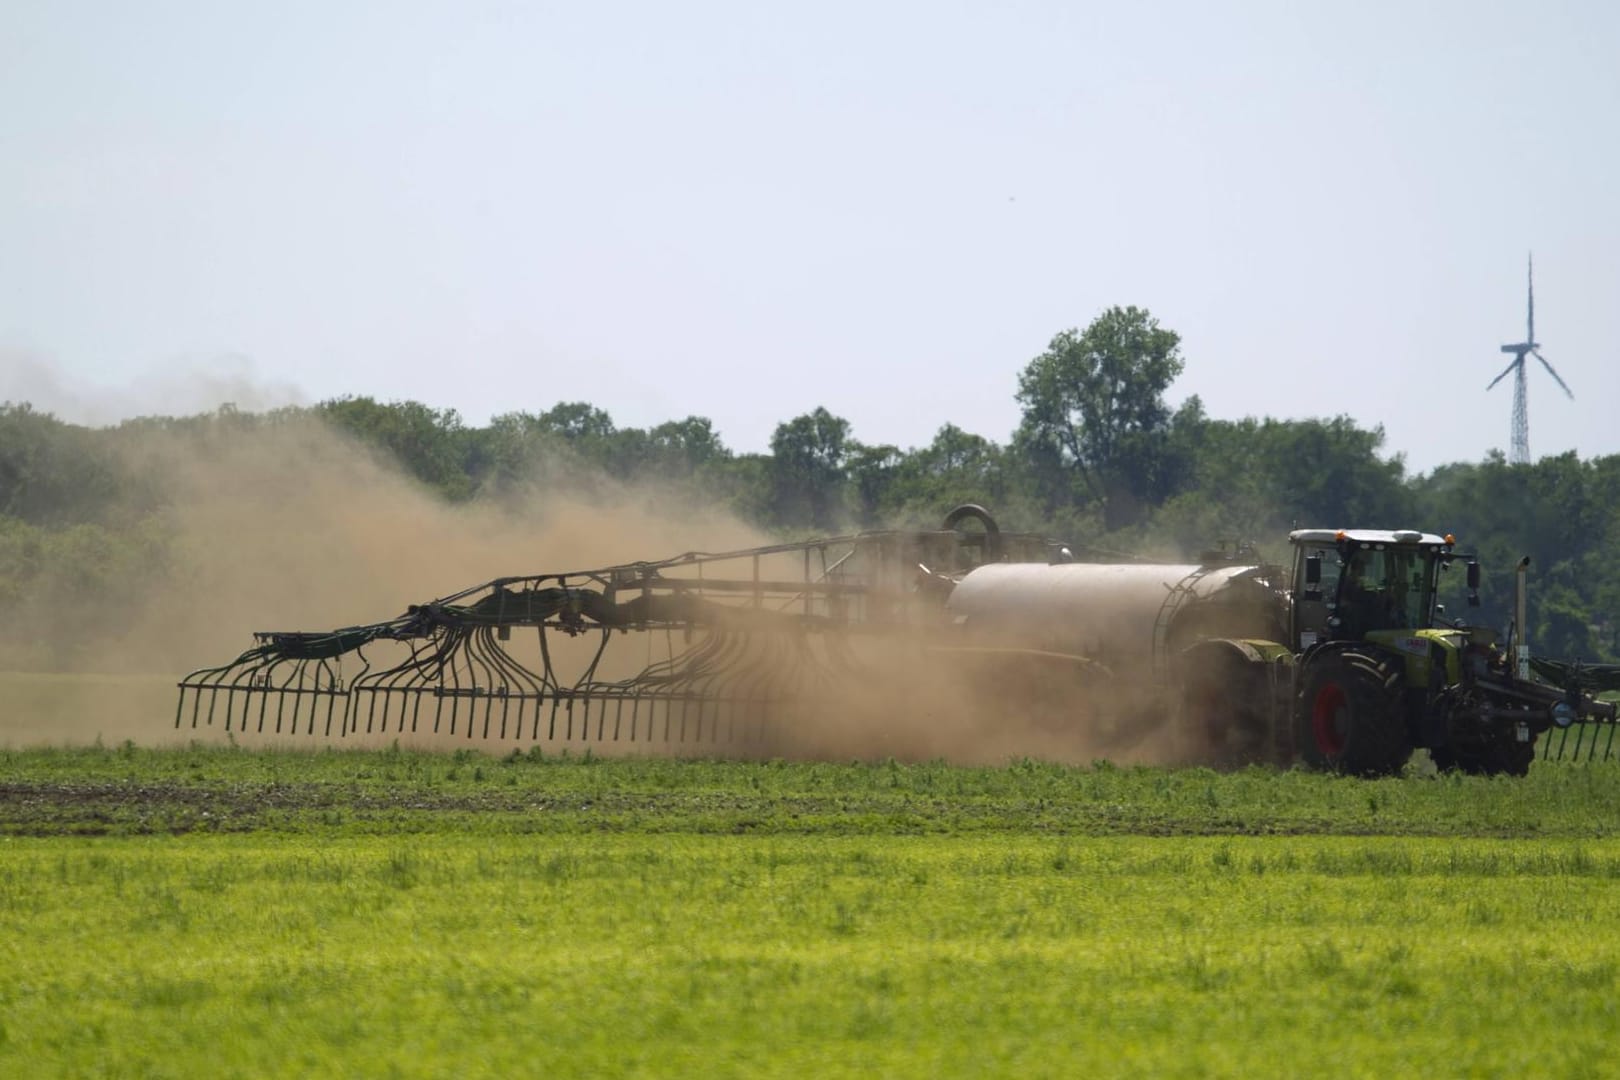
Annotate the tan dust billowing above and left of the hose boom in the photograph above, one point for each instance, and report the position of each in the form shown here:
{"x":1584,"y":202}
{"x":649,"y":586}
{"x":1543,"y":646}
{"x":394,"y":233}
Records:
{"x":294,"y":527}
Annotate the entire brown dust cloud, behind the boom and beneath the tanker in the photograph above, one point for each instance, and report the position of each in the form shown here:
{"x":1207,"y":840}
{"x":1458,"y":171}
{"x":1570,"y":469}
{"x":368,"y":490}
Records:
{"x":294,"y":527}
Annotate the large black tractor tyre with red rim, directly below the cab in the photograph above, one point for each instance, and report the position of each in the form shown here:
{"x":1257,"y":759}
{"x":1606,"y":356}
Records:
{"x":1350,"y":718}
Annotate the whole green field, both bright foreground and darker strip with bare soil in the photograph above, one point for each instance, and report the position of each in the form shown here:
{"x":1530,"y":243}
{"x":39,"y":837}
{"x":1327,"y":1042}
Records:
{"x":231,"y":912}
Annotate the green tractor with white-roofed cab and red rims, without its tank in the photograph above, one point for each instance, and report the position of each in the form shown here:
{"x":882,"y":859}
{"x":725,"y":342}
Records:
{"x":1379,"y":671}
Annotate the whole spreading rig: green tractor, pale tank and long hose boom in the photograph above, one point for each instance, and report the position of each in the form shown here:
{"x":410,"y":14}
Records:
{"x":1341,"y":661}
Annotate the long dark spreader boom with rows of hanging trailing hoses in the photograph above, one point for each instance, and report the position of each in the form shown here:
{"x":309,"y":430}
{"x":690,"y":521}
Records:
{"x":697,"y":648}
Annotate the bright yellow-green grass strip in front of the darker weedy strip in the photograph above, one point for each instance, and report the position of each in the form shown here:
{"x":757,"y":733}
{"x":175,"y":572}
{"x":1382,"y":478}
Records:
{"x":806,"y":956}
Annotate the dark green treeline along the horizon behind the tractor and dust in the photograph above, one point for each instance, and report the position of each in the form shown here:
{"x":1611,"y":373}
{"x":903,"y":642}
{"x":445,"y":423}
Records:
{"x":1099,"y":459}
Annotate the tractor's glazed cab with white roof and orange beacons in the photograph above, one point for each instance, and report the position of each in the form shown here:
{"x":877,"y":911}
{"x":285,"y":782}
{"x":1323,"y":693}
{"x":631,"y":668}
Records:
{"x":1357,"y":584}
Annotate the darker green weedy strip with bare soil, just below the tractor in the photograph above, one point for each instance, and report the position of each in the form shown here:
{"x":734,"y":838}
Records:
{"x":208,"y":789}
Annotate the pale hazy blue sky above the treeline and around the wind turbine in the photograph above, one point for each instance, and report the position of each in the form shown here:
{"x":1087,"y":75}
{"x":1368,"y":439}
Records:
{"x":746,"y":211}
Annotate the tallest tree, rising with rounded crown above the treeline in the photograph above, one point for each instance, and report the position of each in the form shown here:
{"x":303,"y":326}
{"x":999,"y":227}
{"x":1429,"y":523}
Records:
{"x":1096,"y":404}
